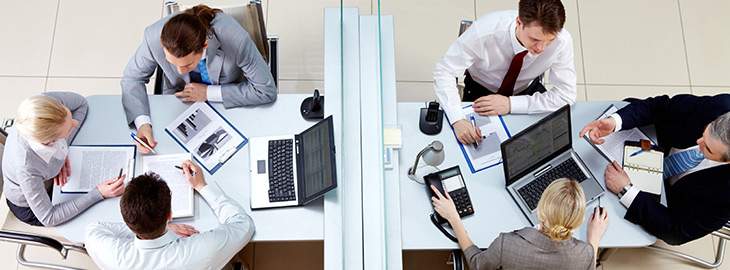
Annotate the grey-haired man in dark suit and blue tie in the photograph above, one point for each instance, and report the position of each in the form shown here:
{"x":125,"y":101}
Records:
{"x":694,"y":132}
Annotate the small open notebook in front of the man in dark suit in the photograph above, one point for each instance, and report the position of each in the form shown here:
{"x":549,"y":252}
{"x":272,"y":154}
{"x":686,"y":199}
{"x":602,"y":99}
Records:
{"x":644,"y":169}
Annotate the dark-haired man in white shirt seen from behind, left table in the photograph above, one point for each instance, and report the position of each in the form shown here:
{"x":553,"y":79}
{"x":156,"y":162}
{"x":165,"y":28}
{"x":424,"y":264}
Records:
{"x":149,"y":242}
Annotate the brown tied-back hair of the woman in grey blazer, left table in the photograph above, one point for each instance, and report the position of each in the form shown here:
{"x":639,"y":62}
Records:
{"x":187,"y":32}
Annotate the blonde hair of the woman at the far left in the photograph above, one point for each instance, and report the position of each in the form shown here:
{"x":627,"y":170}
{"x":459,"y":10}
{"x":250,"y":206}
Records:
{"x":40,"y":117}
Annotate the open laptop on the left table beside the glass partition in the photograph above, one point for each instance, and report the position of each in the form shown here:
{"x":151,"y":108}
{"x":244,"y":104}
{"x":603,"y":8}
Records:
{"x":293,"y":170}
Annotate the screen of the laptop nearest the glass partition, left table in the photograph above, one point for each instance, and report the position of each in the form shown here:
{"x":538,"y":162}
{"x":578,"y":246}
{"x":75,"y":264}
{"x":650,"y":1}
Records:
{"x":317,"y":158}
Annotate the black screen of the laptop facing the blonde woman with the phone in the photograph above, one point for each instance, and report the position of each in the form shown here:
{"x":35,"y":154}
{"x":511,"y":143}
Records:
{"x":536,"y":144}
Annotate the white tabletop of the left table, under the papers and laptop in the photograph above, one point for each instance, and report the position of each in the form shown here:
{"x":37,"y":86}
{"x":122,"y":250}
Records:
{"x":105,"y":124}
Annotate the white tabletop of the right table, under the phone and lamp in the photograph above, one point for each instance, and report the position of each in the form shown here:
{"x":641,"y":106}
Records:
{"x":495,"y":210}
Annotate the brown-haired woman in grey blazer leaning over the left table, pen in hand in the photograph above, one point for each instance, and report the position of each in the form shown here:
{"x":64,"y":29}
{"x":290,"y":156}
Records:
{"x":204,"y":55}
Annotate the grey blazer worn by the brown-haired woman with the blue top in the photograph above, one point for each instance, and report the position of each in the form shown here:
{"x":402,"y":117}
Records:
{"x":232,"y":61}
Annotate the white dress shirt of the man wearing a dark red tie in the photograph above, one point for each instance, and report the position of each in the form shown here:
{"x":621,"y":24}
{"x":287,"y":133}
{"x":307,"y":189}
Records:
{"x":487,"y":49}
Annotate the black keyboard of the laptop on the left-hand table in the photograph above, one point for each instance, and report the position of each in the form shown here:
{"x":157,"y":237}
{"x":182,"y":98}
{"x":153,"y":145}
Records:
{"x":281,"y":171}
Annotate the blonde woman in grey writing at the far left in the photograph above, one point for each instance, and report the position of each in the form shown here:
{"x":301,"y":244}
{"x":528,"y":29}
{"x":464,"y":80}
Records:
{"x":37,"y":150}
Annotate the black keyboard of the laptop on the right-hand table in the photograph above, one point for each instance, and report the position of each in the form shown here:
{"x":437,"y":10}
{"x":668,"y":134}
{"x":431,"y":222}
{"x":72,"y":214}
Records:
{"x":531,"y":192}
